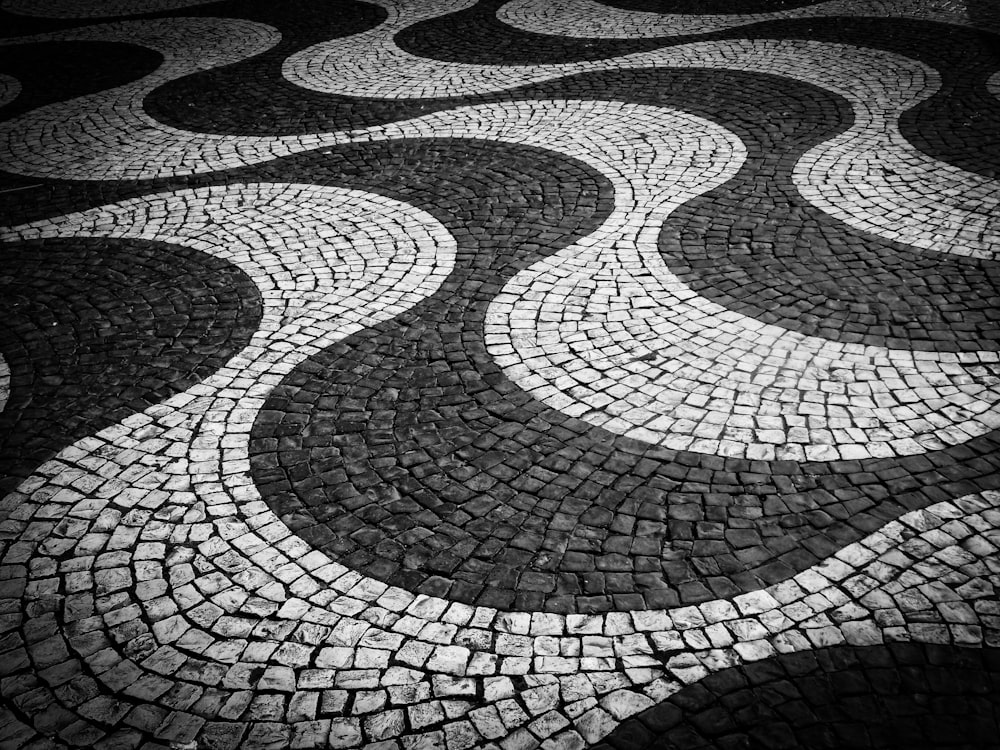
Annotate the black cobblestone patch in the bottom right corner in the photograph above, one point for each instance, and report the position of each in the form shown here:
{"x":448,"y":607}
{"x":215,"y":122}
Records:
{"x":900,"y":696}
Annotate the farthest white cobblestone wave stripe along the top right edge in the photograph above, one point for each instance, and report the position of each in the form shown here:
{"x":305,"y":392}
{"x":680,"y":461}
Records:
{"x":595,"y":20}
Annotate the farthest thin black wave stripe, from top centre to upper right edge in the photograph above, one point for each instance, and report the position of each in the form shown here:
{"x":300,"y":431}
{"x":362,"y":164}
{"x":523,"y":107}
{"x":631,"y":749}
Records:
{"x":957,"y":125}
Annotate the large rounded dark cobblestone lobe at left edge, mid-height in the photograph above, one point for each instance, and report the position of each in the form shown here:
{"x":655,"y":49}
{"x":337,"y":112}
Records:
{"x":97,"y":329}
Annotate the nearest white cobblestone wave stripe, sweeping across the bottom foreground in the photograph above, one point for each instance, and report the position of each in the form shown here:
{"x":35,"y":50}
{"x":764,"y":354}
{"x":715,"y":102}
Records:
{"x":173,"y":577}
